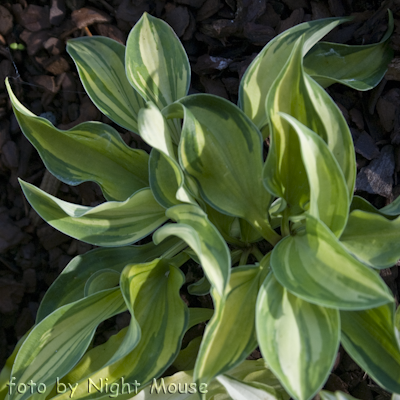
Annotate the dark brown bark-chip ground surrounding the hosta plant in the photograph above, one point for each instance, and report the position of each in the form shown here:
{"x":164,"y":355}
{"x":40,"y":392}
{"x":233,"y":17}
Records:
{"x":221,"y":38}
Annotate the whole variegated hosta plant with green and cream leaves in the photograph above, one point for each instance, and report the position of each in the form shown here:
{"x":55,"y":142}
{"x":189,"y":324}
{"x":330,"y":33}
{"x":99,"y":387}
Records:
{"x":290,"y":257}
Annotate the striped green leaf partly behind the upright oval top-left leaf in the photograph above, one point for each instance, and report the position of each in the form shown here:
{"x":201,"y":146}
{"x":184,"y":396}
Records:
{"x":101,"y":66}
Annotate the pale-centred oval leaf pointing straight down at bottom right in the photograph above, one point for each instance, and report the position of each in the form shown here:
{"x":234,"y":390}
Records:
{"x":298,"y":340}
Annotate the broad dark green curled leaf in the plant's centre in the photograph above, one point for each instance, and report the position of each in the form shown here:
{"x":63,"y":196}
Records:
{"x":222,"y":150}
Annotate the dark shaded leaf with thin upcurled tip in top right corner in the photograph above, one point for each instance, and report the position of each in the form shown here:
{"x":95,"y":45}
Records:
{"x":359,"y":67}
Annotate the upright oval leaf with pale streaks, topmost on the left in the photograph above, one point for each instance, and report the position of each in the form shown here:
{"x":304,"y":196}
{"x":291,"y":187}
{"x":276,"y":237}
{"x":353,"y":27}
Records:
{"x":156,"y":62}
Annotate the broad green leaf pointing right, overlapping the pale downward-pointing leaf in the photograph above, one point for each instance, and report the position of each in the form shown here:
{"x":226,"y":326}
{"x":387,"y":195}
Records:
{"x":316,"y":267}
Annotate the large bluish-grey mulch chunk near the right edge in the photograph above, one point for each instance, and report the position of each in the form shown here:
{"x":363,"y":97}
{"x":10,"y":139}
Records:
{"x":377,"y":177}
